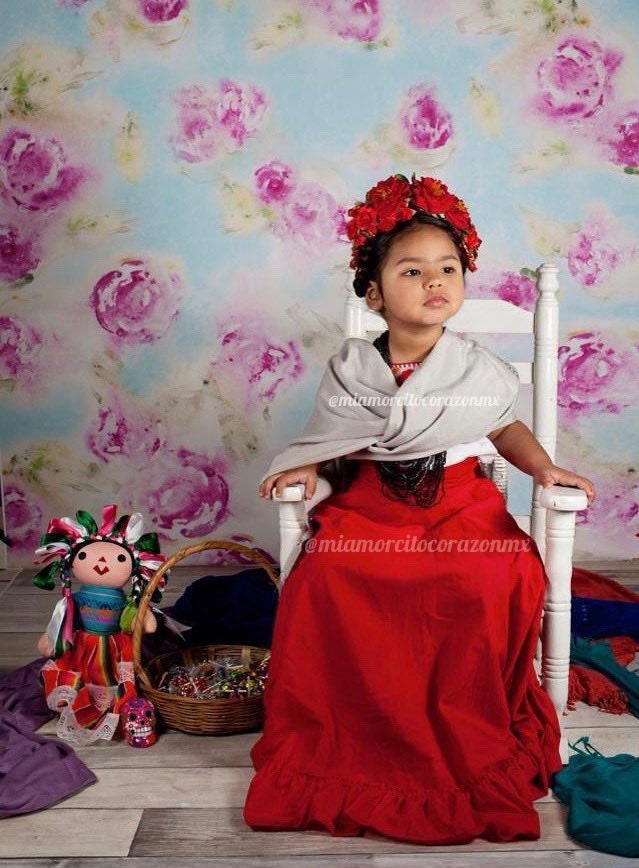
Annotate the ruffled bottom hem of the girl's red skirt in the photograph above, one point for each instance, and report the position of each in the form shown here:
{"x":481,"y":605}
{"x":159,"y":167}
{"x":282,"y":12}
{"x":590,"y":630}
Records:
{"x":495,"y":805}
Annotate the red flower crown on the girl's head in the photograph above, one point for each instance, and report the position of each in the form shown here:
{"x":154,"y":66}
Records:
{"x":396,"y":199}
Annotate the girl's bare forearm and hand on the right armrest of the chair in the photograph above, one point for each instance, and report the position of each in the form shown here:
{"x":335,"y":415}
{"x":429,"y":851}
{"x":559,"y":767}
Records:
{"x":520,"y":447}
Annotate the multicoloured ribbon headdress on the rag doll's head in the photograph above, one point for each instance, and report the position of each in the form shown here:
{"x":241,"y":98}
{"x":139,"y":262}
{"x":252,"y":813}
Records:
{"x":64,"y":537}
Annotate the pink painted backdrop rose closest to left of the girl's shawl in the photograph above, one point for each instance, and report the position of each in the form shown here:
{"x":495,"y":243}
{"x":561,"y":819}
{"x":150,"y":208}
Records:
{"x":261,"y":367}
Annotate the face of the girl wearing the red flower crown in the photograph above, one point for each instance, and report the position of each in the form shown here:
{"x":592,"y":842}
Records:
{"x":421,"y":279}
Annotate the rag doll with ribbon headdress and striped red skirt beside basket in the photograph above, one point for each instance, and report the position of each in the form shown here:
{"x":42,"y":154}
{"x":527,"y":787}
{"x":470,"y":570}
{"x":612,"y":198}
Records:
{"x":90,"y":677}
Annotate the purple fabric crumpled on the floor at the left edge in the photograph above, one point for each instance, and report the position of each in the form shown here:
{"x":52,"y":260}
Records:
{"x":35,"y":771}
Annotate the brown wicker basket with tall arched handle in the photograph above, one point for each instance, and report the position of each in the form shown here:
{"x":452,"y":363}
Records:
{"x":199,"y":716}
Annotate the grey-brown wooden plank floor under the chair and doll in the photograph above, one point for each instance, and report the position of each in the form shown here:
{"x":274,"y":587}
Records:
{"x":180,"y":802}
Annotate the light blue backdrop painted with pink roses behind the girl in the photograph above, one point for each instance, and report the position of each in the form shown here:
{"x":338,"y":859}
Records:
{"x":174,"y":177}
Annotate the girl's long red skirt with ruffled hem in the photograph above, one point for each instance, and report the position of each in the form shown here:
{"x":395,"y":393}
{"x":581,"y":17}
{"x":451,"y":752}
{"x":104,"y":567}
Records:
{"x":402,"y":698}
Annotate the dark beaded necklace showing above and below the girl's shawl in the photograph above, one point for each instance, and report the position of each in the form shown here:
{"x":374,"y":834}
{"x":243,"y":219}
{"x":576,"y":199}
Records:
{"x":418,"y":480}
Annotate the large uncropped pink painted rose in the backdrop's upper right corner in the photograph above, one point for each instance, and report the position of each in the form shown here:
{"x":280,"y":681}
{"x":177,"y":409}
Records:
{"x":576,"y":81}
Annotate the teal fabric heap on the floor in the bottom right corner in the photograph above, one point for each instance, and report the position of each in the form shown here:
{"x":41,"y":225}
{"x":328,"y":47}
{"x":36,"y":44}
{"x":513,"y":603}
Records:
{"x":602,"y":794}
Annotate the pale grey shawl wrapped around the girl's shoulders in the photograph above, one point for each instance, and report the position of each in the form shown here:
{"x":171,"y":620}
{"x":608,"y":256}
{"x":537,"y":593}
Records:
{"x":459,"y":393}
